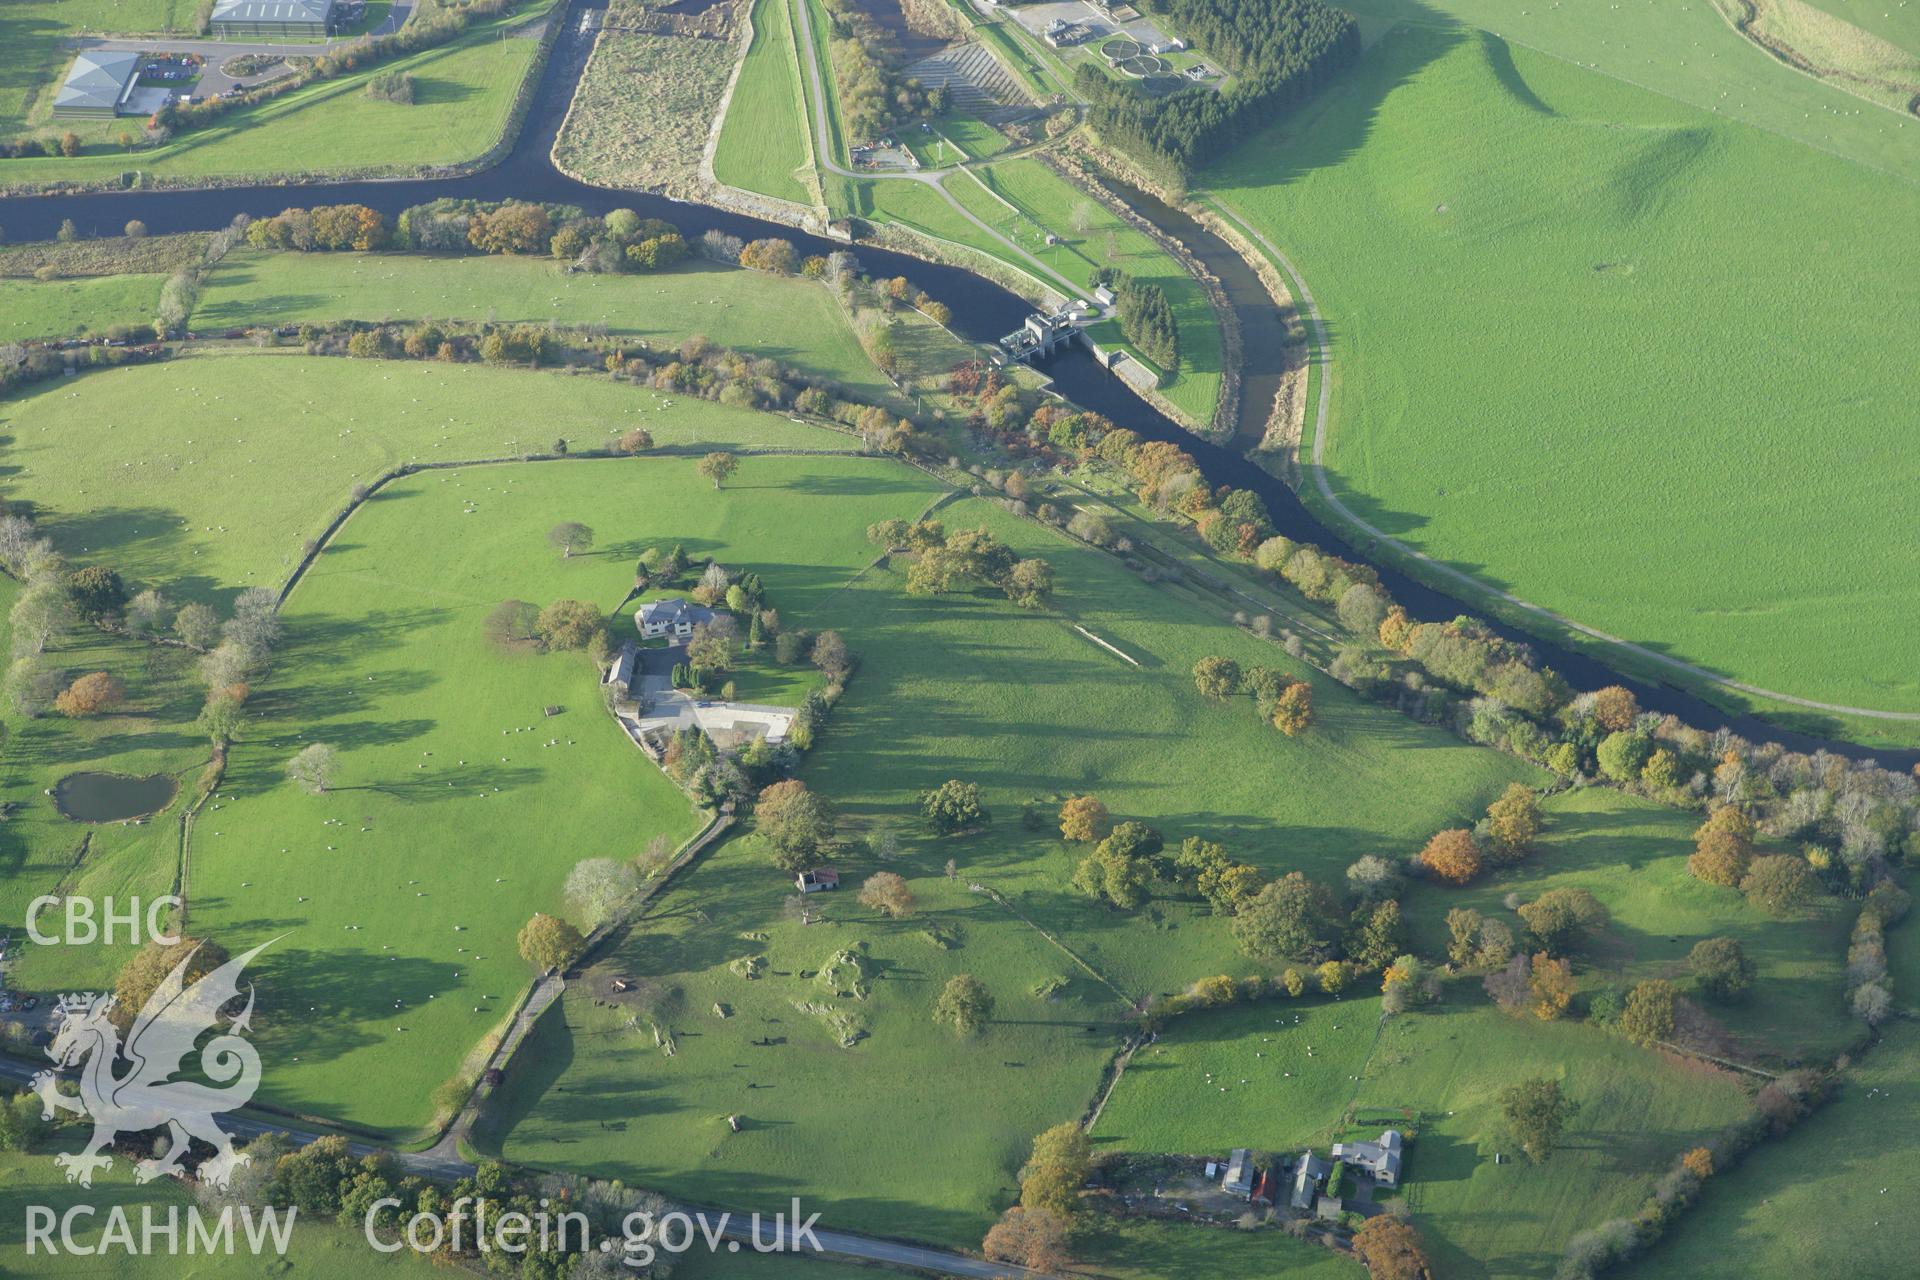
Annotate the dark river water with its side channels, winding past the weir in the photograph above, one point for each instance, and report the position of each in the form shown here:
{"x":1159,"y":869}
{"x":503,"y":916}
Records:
{"x":982,"y":312}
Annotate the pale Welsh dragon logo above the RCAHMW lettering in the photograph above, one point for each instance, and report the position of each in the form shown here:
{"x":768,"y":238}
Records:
{"x":143,"y":1097}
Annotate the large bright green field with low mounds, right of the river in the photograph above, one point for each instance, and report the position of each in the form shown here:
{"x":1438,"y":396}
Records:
{"x":1514,"y":258}
